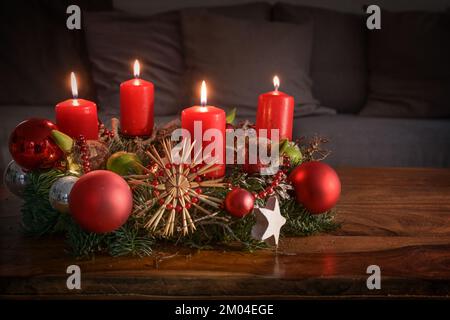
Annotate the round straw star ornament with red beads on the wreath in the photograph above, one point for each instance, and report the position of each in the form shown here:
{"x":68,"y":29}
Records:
{"x":177,"y":189}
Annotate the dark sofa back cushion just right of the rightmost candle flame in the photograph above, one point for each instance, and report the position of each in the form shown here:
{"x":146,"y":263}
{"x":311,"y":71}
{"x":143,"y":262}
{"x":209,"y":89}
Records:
{"x":339,"y":64}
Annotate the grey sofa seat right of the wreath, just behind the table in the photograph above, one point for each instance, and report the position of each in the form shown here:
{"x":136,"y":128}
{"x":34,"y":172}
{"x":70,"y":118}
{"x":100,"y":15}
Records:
{"x":377,"y":142}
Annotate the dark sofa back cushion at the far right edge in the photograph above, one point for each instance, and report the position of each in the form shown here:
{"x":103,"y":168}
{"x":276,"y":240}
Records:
{"x":410,"y":66}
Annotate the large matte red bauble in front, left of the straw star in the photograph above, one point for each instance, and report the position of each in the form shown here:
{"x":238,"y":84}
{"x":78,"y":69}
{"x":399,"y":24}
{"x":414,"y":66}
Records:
{"x":100,"y":201}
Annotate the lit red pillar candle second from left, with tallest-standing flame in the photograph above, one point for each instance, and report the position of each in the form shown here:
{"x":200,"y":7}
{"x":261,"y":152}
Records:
{"x":136,"y":105}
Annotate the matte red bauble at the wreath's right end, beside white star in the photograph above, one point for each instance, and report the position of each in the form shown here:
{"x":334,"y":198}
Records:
{"x":316,"y":185}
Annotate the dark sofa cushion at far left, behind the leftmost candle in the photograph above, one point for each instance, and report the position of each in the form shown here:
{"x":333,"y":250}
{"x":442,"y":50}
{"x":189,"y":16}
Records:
{"x":40,"y":52}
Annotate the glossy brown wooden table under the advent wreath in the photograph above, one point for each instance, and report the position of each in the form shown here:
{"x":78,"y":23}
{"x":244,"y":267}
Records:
{"x":398,"y":219}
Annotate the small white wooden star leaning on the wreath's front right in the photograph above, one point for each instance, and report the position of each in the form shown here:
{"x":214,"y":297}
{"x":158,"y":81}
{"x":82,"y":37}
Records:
{"x":268,"y":221}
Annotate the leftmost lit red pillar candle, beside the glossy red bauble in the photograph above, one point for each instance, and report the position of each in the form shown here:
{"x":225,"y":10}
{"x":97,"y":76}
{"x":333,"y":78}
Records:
{"x":77,"y":117}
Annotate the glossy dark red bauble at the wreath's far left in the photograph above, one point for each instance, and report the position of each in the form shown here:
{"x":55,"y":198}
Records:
{"x":31,"y":145}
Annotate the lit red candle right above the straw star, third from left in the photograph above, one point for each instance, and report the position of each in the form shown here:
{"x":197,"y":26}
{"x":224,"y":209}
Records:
{"x":211,"y":118}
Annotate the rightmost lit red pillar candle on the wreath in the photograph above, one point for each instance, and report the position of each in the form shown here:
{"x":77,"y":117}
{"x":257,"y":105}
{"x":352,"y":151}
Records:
{"x":276,"y":111}
